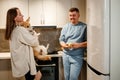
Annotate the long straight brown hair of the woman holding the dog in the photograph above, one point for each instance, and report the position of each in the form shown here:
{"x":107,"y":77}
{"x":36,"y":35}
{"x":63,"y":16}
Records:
{"x":10,"y":22}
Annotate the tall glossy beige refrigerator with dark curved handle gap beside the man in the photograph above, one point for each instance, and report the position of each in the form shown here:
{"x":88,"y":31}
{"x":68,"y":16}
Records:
{"x":98,"y":50}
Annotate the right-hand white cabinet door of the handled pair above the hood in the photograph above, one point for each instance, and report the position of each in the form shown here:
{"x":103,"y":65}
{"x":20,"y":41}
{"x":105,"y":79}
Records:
{"x":49,"y":7}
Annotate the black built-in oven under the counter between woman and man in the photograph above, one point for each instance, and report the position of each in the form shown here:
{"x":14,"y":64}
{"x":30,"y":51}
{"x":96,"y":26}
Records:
{"x":49,"y":69}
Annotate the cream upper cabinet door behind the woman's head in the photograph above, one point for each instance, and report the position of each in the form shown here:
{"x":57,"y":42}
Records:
{"x":7,"y":4}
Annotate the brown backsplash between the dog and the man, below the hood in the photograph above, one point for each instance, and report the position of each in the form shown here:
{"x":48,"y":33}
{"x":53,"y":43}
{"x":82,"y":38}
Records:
{"x":49,"y":36}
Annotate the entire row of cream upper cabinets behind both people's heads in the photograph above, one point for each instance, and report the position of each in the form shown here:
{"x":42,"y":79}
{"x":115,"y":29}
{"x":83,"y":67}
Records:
{"x":43,"y":12}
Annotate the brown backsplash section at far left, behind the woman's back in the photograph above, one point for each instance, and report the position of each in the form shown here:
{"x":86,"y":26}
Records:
{"x":4,"y":44}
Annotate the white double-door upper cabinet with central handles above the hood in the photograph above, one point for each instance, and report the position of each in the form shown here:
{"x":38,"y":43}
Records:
{"x":42,"y":12}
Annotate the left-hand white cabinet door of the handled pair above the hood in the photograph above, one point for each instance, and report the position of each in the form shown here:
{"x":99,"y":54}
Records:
{"x":35,"y":10}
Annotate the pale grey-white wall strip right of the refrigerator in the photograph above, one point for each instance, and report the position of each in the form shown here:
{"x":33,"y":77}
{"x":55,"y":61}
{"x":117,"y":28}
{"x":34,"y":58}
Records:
{"x":115,"y":40}
